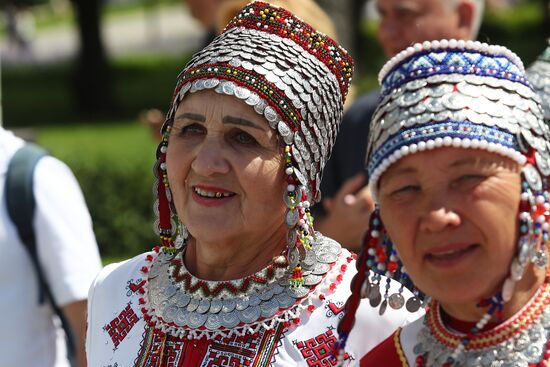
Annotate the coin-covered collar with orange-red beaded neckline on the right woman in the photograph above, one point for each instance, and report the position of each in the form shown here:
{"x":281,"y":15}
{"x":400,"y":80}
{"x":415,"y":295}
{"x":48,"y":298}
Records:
{"x":520,"y":341}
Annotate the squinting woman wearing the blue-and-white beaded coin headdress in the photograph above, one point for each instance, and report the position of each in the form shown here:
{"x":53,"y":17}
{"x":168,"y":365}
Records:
{"x":458,"y":161}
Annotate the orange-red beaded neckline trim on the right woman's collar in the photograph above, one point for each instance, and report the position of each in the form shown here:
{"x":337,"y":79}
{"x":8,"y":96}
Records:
{"x":519,"y":322}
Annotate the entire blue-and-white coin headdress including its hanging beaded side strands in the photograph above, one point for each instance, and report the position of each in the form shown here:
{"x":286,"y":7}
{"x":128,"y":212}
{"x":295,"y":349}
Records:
{"x":461,"y":94}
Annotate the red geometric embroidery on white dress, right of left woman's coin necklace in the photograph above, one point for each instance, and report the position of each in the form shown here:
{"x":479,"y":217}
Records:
{"x":317,"y":351}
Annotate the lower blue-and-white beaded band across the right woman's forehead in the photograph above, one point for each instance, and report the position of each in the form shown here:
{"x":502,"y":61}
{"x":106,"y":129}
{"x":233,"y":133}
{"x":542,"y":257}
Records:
{"x":457,"y":134}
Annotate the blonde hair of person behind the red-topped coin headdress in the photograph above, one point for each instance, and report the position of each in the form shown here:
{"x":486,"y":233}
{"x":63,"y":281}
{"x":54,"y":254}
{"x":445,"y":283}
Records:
{"x":307,"y":10}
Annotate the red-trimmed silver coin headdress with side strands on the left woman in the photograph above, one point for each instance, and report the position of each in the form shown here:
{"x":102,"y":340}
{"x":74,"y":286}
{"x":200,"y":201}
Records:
{"x":295,"y":77}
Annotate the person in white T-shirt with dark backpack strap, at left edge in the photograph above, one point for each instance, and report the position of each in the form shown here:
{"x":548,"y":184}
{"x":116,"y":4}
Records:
{"x":48,"y":258}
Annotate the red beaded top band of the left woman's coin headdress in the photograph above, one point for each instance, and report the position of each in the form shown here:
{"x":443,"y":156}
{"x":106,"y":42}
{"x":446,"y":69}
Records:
{"x":274,"y":20}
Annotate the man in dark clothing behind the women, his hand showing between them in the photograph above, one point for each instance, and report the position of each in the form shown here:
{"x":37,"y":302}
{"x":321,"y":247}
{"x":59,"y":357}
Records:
{"x":346,"y":205}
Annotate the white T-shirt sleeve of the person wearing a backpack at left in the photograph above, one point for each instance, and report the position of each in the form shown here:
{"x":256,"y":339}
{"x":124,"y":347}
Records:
{"x":66,"y":245}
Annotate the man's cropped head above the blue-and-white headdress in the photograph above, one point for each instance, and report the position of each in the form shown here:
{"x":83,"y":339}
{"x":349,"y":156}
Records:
{"x":405,"y":22}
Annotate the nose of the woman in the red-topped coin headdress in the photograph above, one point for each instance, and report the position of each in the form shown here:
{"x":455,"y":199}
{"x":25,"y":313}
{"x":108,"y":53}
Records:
{"x":209,"y":159}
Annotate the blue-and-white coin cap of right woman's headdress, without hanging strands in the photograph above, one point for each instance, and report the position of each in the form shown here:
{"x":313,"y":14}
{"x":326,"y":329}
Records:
{"x":456,"y":94}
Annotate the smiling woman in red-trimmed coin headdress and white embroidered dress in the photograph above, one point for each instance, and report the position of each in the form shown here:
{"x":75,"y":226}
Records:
{"x":241,"y":278}
